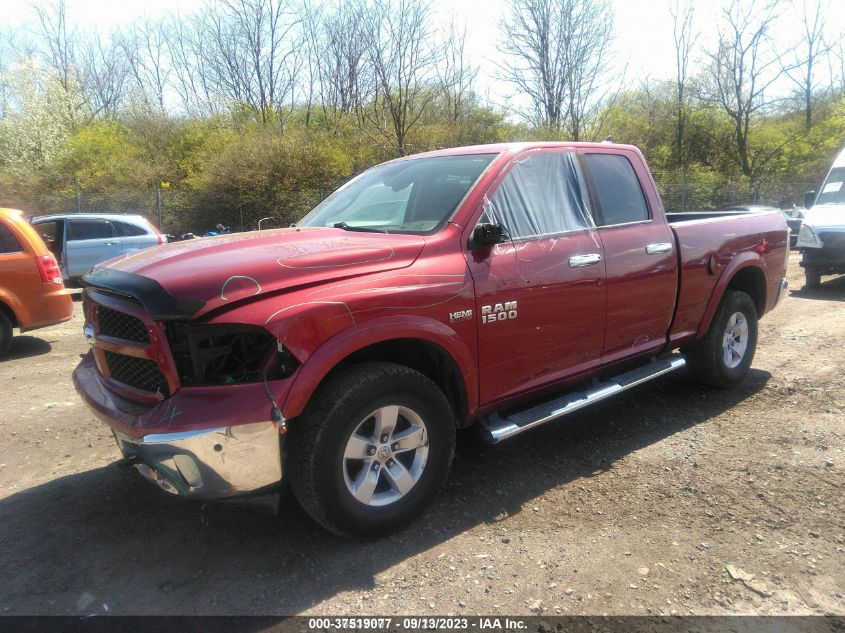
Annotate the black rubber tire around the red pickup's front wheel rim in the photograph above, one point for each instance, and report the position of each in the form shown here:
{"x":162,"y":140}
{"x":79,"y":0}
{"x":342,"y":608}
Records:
{"x":318,"y":438}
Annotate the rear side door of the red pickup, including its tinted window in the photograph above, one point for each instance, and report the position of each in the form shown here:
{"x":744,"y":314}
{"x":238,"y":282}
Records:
{"x":639,"y":249}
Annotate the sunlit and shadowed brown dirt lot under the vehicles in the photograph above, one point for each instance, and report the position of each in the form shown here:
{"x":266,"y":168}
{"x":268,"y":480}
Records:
{"x":638,"y":506}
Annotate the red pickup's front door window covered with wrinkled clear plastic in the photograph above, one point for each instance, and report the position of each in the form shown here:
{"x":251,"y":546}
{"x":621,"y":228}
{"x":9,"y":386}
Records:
{"x":543,"y":194}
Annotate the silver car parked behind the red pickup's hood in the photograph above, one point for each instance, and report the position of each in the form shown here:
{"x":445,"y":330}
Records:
{"x":80,"y":241}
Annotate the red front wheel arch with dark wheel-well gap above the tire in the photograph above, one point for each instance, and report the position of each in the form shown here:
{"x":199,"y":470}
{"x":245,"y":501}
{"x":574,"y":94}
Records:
{"x":424,"y":345}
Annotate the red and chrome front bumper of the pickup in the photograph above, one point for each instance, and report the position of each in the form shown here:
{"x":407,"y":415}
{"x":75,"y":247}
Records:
{"x":198,"y":444}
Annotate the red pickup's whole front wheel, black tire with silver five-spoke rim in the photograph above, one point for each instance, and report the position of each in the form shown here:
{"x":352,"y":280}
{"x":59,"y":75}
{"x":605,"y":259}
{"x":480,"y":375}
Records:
{"x":372,"y":450}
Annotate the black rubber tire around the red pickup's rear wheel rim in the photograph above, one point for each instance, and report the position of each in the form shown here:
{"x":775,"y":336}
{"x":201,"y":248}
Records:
{"x":707,"y":357}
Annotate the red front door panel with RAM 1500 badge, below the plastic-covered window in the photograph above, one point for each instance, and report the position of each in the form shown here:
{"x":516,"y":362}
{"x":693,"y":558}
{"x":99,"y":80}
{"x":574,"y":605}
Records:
{"x":557,"y":326}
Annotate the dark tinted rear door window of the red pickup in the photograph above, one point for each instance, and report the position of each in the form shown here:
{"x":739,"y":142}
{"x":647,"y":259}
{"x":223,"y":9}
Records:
{"x":618,"y":189}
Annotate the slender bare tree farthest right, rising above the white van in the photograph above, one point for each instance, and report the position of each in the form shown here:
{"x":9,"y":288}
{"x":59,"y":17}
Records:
{"x":806,"y":57}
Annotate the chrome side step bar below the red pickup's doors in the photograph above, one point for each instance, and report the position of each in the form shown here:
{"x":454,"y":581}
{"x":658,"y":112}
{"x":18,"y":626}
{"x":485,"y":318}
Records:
{"x":498,"y":427}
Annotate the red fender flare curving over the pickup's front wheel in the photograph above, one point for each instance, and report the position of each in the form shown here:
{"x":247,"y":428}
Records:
{"x":327,"y":356}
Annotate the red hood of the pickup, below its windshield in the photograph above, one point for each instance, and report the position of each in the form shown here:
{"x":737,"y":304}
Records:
{"x":228,"y":268}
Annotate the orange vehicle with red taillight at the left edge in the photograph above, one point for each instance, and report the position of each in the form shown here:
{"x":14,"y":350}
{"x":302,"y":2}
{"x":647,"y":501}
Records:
{"x":32,"y":294}
